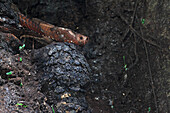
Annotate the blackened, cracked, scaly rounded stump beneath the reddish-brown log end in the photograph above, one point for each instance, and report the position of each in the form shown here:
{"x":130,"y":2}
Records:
{"x":64,"y":75}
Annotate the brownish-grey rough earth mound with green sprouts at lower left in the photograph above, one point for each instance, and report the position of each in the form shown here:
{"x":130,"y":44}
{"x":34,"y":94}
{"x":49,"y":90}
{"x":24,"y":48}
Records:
{"x":19,"y":87}
